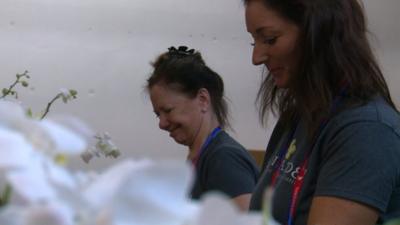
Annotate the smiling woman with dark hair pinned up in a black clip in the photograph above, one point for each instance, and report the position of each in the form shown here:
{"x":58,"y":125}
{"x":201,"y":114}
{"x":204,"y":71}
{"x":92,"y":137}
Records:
{"x":188,"y":99}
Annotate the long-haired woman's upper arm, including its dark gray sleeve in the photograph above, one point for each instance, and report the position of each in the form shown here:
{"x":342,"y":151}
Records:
{"x":357,"y":177}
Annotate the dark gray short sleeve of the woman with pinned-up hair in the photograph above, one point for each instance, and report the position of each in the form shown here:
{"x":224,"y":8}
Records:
{"x":231,"y":172}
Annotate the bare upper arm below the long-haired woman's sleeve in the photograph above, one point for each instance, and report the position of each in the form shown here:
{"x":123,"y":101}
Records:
{"x":335,"y":211}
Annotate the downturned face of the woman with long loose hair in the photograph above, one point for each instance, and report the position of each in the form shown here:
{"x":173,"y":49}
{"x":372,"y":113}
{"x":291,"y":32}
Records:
{"x":275,"y":41}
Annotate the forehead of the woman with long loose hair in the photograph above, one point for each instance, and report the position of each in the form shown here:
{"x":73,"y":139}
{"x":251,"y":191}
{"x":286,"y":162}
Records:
{"x":260,"y":17}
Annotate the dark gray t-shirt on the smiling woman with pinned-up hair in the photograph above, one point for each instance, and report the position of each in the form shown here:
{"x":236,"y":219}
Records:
{"x":225,"y":166}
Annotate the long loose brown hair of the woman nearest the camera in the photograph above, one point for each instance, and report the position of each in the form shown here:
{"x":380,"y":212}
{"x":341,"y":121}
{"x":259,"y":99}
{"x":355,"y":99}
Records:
{"x":335,"y":51}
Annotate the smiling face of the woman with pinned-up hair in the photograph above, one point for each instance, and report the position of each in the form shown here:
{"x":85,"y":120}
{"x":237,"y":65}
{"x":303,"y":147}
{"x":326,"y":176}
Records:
{"x":178,"y":114}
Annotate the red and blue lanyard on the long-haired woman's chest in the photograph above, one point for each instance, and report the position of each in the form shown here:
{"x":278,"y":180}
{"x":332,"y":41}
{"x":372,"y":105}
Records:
{"x":299,"y":180}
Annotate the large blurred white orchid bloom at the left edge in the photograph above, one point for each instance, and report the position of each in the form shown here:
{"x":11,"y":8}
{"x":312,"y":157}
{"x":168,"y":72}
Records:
{"x":27,"y":148}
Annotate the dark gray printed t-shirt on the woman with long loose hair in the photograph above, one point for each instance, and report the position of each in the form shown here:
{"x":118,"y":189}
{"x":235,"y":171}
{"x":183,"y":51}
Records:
{"x":355,"y":157}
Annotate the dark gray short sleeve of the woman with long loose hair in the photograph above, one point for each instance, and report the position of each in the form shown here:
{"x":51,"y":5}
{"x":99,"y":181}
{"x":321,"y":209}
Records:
{"x":360,"y":162}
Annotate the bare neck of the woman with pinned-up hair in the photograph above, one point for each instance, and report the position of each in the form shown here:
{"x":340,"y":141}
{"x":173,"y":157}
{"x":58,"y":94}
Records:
{"x":204,"y":131}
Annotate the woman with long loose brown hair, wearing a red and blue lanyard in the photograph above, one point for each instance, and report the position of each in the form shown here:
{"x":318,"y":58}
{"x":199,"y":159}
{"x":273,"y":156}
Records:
{"x":333,"y":157}
